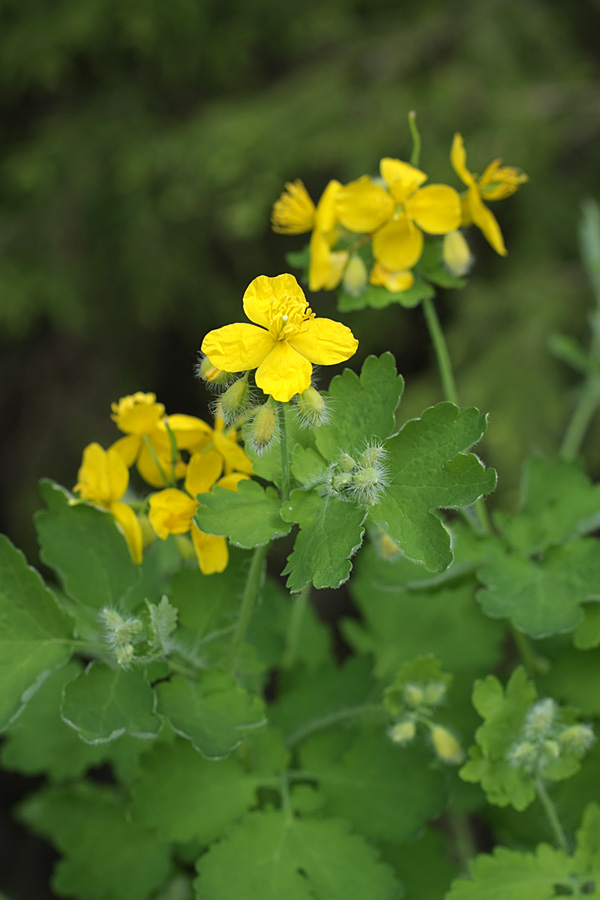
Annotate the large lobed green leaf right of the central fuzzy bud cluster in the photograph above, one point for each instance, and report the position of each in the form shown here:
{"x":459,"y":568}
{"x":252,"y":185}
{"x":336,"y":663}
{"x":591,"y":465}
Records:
{"x":428,"y":470}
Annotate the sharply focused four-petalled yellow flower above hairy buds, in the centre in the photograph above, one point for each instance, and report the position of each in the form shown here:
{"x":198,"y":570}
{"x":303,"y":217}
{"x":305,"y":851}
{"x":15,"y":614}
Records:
{"x":285,"y":341}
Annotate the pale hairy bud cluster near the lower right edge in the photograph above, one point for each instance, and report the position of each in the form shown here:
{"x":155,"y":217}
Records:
{"x":545,"y":739}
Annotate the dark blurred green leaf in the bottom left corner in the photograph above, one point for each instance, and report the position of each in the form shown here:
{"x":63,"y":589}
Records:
{"x":106,"y":856}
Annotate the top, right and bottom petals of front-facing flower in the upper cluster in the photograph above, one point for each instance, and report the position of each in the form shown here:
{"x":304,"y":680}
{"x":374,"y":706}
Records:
{"x":435,"y":209}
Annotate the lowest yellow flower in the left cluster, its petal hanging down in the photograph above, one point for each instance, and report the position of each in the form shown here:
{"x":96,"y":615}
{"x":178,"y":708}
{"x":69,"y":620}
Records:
{"x":172,"y":511}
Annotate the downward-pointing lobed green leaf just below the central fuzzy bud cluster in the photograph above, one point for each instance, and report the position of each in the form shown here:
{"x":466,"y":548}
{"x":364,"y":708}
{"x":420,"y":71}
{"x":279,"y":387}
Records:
{"x":330,"y":533}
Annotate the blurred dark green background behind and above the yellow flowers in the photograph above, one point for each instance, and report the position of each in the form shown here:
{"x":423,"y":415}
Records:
{"x":143,"y":144}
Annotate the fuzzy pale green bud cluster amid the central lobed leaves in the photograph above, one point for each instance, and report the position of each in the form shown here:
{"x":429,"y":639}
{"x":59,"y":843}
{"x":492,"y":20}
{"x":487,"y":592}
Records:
{"x":362,"y":479}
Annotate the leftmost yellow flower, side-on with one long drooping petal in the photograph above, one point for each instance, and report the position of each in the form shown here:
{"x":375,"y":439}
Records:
{"x":103,"y":479}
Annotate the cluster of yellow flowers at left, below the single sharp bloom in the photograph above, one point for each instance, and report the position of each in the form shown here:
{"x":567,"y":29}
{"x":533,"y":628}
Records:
{"x":166,"y":449}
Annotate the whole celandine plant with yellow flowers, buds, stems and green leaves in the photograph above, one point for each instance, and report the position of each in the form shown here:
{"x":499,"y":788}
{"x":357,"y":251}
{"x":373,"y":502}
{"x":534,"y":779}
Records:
{"x":201,"y":732}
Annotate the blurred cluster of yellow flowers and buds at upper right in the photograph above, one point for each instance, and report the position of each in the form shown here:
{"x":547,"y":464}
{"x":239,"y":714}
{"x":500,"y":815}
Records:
{"x":375,"y":229}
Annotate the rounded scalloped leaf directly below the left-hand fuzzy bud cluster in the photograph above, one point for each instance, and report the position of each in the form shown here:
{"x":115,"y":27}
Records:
{"x":104,"y":703}
